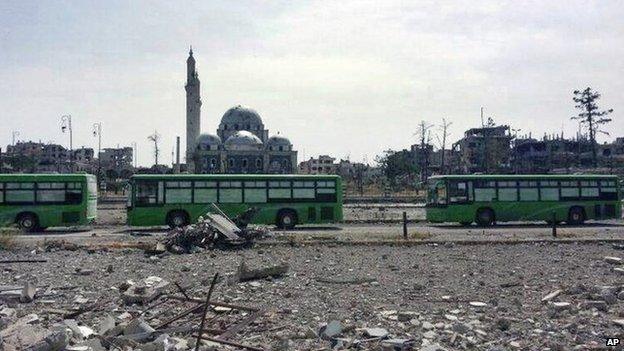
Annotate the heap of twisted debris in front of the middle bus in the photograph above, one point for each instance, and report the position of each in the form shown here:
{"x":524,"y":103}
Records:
{"x":215,"y":230}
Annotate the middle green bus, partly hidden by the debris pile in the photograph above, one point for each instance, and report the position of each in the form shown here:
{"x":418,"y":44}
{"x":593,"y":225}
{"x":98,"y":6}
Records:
{"x":284,"y":200}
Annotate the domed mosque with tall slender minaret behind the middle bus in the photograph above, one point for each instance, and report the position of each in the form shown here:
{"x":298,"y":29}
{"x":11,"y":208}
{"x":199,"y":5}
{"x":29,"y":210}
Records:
{"x":241,"y":144}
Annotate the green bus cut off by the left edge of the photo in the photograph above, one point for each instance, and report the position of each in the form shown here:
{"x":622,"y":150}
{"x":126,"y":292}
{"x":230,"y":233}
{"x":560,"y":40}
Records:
{"x":37,"y":201}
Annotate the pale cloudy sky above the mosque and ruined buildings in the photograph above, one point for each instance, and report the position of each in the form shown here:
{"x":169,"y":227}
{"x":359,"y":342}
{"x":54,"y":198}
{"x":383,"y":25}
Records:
{"x":345,"y":78}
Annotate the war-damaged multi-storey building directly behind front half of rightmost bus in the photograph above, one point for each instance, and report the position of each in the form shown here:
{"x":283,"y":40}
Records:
{"x":486,"y":149}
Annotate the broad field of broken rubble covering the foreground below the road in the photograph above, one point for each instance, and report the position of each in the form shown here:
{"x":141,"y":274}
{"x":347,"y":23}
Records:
{"x":157,"y":305}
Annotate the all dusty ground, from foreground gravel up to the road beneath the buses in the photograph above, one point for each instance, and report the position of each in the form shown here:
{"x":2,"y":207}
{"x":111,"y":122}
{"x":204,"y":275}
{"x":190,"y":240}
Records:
{"x":444,"y":287}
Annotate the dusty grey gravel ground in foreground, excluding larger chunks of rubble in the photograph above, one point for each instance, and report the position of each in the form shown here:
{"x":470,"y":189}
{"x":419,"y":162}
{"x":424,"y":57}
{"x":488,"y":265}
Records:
{"x":420,"y":293}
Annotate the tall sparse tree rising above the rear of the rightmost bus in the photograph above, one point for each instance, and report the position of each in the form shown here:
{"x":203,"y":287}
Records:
{"x":591,"y":116}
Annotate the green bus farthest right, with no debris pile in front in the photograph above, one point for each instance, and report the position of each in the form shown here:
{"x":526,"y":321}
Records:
{"x":487,"y":199}
